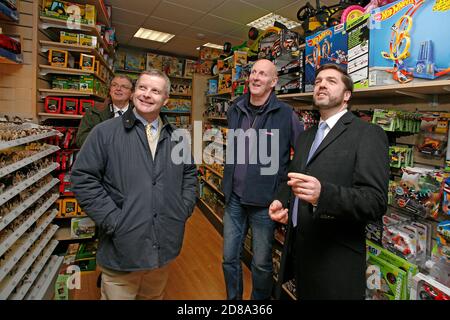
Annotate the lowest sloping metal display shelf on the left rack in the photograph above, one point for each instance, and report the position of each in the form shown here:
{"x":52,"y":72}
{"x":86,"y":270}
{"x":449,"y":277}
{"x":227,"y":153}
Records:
{"x":45,"y":280}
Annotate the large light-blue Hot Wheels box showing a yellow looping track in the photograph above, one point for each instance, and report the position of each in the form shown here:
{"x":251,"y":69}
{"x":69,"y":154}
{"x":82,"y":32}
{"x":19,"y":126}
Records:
{"x":409,"y":42}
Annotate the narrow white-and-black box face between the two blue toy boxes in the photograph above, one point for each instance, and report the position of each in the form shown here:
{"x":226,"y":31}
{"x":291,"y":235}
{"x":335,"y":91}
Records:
{"x":358,"y":51}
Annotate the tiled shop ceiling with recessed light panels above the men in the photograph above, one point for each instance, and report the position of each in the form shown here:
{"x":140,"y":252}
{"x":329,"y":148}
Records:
{"x":195,"y":22}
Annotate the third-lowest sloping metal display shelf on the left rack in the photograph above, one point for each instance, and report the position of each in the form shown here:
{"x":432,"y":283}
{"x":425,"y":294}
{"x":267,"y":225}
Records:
{"x":20,"y":248}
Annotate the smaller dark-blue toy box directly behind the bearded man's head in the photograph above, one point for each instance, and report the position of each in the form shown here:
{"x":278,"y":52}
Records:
{"x":327,"y":46}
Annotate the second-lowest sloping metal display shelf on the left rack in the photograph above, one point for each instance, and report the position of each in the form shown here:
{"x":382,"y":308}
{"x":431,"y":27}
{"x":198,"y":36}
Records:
{"x":11,"y":283}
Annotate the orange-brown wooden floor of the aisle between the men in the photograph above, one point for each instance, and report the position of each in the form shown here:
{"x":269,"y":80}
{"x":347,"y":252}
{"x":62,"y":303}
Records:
{"x":197,"y":273}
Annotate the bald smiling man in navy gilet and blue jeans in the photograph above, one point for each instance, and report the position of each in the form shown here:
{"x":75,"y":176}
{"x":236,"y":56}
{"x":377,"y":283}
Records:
{"x":247,"y":190}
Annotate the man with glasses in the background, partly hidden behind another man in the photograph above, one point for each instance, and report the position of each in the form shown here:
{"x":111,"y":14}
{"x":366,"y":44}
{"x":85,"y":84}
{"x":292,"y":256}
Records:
{"x":115,"y":105}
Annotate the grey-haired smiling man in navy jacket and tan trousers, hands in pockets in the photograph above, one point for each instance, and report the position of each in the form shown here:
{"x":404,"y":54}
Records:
{"x":125,"y":180}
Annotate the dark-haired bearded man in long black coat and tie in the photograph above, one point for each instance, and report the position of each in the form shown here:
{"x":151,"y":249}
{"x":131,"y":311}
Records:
{"x":339,"y":188}
